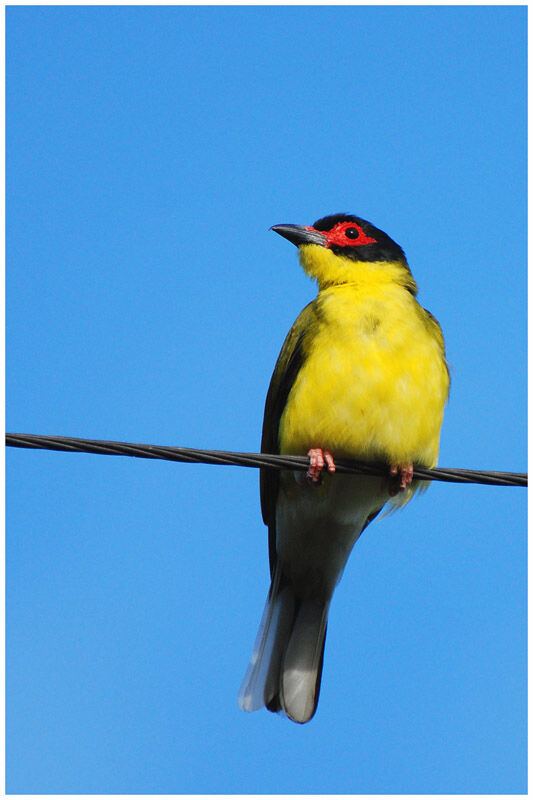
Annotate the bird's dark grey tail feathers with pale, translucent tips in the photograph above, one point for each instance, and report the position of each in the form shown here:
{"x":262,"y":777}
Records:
{"x":286,"y":665}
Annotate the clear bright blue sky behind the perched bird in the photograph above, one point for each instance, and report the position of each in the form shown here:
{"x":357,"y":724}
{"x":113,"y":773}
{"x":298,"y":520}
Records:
{"x":149,"y":150}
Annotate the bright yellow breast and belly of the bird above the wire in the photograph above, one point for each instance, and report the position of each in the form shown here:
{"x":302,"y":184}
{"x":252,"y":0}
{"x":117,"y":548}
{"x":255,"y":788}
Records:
{"x":374,"y":381}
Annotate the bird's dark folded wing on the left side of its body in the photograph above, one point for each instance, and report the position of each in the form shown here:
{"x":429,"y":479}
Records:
{"x":290,"y":360}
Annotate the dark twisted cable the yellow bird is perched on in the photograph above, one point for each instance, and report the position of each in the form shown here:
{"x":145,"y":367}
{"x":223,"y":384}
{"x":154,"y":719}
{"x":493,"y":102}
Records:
{"x":347,"y":466}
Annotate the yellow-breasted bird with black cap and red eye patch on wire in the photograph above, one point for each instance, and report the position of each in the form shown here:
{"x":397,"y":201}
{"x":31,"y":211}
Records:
{"x":362,"y":374}
